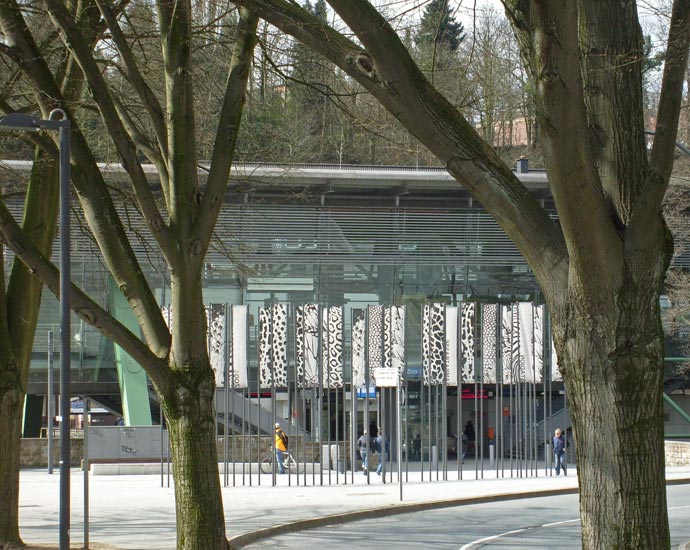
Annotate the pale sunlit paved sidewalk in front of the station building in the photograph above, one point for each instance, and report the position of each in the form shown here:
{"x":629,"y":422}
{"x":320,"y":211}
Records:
{"x":134,"y":512}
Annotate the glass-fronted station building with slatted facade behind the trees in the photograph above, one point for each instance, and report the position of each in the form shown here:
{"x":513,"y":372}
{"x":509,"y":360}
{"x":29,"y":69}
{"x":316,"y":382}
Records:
{"x":304,"y":234}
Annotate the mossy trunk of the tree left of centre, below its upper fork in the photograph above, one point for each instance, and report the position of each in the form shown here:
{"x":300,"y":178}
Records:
{"x":189,"y":411}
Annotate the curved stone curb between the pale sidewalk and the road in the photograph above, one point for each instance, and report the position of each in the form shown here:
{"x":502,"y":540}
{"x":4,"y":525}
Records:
{"x":240,"y":541}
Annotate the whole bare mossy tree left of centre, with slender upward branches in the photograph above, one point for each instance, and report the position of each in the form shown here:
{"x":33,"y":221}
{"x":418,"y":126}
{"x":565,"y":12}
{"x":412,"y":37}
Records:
{"x":180,"y":220}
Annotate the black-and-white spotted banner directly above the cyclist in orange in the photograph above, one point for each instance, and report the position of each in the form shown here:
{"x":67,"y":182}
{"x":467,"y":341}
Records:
{"x":273,"y":346}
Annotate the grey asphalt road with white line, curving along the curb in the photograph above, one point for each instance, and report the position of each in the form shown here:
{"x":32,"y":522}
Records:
{"x":543,"y":522}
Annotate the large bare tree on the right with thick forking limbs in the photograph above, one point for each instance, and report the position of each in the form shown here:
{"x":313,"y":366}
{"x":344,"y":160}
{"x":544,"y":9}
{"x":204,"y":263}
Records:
{"x":602,"y":265}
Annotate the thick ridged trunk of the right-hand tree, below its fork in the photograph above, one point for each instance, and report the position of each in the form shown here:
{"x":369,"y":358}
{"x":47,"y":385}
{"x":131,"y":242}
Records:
{"x":614,"y":379}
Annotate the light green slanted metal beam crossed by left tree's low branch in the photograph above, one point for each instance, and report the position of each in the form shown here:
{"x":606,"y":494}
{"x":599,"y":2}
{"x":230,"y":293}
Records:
{"x":134,"y":390}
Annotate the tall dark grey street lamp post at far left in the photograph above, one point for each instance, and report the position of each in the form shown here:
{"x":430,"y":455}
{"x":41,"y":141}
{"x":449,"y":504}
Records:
{"x":26,"y":123}
